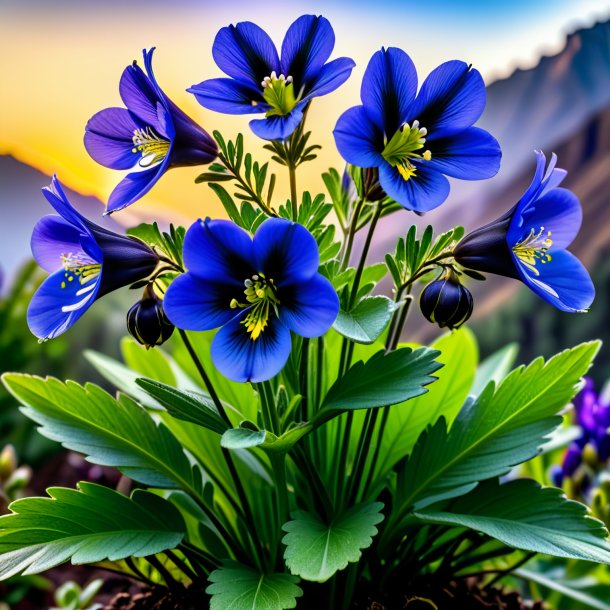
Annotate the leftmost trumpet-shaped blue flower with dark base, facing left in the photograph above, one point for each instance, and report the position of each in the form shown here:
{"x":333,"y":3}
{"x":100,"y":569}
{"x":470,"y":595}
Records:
{"x":85,"y":261}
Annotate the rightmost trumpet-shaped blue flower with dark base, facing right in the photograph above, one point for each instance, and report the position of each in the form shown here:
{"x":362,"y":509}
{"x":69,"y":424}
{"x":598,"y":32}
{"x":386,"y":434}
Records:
{"x":529,"y":242}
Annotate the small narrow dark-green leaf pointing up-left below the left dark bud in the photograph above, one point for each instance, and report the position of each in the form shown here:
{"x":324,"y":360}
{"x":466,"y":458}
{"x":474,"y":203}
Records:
{"x":187,"y":406}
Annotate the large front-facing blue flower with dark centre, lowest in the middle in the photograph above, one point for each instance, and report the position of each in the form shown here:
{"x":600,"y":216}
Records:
{"x":256,"y":290}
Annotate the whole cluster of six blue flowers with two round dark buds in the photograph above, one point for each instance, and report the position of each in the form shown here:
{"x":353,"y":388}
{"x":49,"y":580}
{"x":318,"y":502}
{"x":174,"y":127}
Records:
{"x":259,"y":289}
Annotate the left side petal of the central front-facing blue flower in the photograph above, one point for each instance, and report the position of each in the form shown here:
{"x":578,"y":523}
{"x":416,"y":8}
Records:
{"x":194,"y":304}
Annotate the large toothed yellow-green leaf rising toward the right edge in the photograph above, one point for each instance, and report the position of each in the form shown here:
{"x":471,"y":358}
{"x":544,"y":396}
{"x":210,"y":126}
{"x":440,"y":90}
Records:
{"x":493,"y":433}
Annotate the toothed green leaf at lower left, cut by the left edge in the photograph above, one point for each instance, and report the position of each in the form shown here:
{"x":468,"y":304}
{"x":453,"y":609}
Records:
{"x":87,"y":525}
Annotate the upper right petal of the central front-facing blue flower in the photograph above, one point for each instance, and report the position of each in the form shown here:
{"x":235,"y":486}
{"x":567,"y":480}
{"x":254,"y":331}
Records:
{"x":286,"y":251}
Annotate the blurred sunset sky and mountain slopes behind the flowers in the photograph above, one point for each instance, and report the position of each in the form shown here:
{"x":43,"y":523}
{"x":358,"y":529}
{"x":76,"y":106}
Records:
{"x":546,"y":64}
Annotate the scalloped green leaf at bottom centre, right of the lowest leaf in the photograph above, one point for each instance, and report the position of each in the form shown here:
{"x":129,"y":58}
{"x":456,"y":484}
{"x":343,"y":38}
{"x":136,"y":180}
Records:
{"x":316,"y":550}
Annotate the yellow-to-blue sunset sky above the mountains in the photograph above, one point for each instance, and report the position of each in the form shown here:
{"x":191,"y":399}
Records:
{"x":60,"y":62}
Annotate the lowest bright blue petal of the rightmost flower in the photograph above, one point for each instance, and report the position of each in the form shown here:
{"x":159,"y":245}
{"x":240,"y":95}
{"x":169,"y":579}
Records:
{"x":563,"y":282}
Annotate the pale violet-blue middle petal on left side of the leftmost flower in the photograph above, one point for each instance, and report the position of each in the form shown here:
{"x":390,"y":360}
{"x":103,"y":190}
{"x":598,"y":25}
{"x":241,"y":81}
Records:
{"x":52,"y":238}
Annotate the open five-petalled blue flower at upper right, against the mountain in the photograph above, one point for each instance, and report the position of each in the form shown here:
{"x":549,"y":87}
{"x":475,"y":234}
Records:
{"x":415,"y":140}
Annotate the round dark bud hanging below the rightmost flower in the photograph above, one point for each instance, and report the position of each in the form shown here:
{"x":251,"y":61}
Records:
{"x":446,"y":302}
